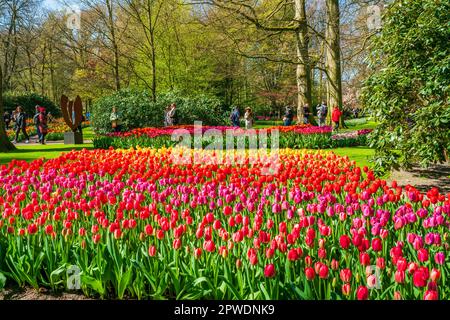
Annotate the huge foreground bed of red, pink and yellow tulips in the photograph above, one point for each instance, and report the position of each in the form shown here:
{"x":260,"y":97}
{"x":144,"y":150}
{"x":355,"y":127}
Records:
{"x":137,"y":224}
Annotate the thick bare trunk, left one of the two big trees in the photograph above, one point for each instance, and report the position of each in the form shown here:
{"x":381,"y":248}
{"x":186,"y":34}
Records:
{"x":303,"y":65}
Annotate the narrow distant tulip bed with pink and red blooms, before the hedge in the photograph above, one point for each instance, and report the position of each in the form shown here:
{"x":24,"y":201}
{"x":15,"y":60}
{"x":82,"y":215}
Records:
{"x":296,"y":137}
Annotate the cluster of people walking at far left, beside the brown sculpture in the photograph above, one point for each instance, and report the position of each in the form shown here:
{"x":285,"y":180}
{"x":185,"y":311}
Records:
{"x":19,"y":118}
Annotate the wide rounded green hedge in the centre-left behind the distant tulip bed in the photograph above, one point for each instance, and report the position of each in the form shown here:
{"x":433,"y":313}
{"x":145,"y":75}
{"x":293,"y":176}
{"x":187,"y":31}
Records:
{"x":137,"y":110}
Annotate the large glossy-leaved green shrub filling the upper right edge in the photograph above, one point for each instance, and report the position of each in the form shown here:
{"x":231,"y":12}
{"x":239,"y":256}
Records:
{"x":408,"y":93}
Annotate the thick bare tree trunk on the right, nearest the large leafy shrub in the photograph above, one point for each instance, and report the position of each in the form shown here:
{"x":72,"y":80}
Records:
{"x":333,"y":57}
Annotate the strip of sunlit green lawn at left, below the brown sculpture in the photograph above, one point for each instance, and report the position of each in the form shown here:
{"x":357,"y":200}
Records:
{"x":32,"y":152}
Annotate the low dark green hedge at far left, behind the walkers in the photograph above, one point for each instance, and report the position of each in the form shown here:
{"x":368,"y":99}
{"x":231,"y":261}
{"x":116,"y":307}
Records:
{"x":29,"y":101}
